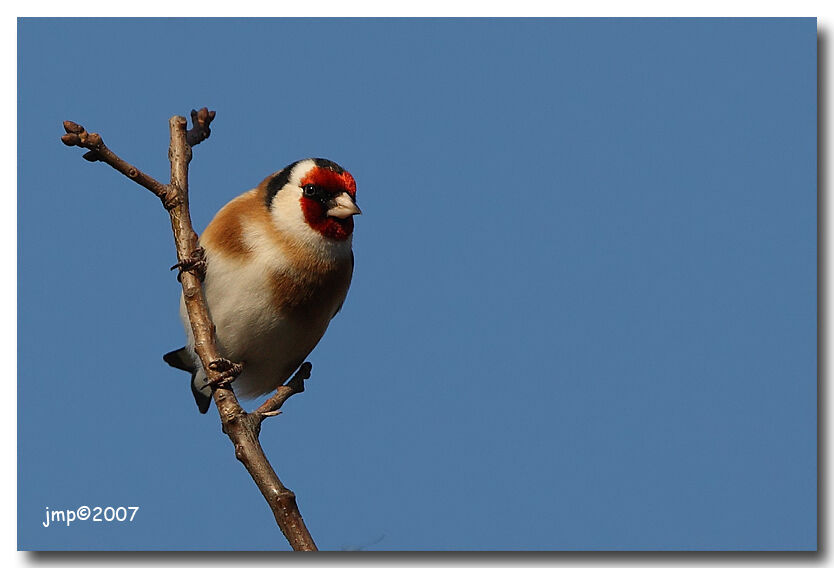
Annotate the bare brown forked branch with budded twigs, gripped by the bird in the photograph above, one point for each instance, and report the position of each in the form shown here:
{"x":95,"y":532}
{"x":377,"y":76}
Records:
{"x":241,"y":427}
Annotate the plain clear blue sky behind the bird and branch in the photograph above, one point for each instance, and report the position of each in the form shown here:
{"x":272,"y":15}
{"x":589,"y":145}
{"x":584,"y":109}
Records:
{"x":583,"y":315}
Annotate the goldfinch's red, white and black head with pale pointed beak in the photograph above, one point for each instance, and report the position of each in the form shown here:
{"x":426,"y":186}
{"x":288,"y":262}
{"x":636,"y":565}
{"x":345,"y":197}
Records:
{"x":313,"y":198}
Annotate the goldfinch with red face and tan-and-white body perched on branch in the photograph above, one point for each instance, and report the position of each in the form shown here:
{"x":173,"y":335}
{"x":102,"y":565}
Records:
{"x":278,"y":265}
